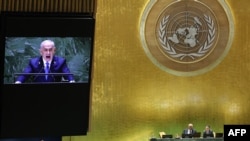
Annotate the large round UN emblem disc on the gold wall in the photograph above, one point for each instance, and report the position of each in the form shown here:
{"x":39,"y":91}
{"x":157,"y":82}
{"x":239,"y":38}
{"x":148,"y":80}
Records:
{"x":186,"y":37}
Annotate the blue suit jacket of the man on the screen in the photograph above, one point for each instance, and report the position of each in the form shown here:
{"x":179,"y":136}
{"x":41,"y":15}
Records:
{"x":36,"y":65}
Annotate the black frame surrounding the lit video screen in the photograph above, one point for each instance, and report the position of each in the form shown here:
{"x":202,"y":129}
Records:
{"x":65,"y":107}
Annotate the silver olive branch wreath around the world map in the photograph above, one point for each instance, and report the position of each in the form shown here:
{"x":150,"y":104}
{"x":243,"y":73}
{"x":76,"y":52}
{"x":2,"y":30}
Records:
{"x":201,"y":52}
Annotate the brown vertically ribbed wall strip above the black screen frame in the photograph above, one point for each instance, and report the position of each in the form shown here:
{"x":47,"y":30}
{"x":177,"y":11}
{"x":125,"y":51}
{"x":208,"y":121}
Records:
{"x":74,"y":6}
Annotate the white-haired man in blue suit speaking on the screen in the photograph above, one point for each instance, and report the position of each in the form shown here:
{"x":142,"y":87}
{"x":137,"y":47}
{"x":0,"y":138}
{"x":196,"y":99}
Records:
{"x":46,"y":63}
